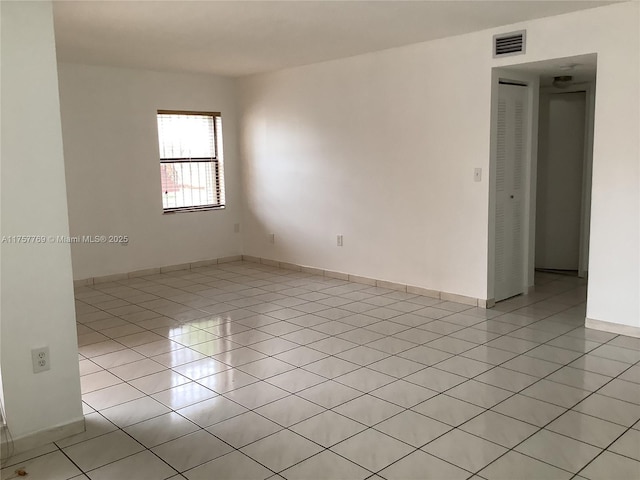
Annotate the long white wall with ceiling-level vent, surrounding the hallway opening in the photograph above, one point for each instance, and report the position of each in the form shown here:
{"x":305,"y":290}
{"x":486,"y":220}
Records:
{"x":381,"y":148}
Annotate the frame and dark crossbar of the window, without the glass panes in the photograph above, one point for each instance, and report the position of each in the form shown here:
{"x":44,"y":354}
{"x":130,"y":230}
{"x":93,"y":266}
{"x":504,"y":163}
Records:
{"x":216,"y":162}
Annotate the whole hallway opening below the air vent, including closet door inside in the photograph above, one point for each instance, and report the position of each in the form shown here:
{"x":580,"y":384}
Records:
{"x":540,"y":179}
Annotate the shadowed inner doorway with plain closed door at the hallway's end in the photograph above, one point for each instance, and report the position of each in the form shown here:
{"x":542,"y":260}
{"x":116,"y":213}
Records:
{"x":563,"y":191}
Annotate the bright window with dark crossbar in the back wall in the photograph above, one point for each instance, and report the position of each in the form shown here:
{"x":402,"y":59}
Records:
{"x":191,"y":161}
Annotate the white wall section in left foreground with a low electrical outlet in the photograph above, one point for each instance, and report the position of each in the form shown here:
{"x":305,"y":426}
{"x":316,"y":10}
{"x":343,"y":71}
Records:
{"x":37,"y":293}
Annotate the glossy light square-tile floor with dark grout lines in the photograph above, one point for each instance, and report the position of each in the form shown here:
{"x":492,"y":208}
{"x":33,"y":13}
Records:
{"x":248,"y":371}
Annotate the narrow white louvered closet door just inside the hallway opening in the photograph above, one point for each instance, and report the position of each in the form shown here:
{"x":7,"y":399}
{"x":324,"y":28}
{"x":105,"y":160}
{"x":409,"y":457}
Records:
{"x":510,"y":176}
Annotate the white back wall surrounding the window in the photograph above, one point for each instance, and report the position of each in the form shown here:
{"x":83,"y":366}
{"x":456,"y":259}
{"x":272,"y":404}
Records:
{"x":113,"y":173}
